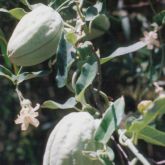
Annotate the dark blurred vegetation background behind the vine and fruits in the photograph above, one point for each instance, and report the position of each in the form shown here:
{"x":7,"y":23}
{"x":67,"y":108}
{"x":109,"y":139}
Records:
{"x":131,"y":76}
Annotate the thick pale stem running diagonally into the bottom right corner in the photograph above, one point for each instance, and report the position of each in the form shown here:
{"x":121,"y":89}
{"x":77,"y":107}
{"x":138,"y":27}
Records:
{"x":124,"y":140}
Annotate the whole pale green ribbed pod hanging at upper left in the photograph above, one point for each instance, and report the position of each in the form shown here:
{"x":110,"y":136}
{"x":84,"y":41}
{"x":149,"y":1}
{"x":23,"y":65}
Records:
{"x":36,"y":37}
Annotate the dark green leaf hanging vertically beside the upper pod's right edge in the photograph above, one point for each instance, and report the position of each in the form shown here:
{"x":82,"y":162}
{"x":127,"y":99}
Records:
{"x":64,"y":62}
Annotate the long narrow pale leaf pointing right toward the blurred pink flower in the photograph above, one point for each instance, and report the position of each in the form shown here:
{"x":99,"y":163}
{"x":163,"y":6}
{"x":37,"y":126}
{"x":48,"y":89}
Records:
{"x":123,"y":51}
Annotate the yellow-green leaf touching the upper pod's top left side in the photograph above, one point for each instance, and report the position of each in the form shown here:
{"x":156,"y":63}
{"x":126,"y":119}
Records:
{"x":18,"y":13}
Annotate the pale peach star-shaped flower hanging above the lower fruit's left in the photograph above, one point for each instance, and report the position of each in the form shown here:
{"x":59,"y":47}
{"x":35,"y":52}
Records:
{"x":27,"y":115}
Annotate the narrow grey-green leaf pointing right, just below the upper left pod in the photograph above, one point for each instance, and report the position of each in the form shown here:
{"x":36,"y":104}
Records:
{"x":28,"y":75}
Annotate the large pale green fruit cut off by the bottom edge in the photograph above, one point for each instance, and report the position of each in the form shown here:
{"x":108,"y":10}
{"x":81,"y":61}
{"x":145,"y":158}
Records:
{"x":72,"y":135}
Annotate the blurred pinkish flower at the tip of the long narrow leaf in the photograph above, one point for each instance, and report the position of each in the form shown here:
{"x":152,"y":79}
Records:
{"x":150,"y":38}
